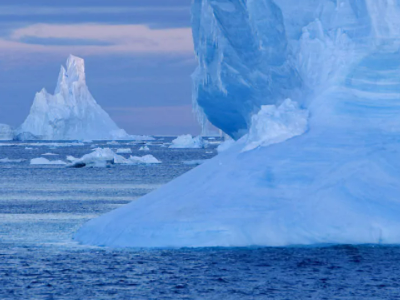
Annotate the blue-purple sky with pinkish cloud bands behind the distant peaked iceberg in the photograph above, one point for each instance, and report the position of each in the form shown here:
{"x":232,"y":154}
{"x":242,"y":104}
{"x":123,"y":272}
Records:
{"x":138,"y":53}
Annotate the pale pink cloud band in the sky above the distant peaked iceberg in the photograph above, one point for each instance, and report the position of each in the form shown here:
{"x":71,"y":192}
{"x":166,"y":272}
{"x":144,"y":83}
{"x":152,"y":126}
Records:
{"x":119,"y":38}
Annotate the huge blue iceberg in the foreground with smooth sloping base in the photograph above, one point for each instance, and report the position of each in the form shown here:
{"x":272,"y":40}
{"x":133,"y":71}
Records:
{"x":332,"y":172}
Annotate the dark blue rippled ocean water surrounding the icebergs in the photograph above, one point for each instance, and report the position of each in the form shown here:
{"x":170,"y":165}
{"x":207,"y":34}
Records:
{"x":42,"y":206}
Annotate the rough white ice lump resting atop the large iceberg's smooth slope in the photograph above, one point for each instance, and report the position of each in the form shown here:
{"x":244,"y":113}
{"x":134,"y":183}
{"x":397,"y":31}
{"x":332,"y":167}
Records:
{"x":275,"y":124}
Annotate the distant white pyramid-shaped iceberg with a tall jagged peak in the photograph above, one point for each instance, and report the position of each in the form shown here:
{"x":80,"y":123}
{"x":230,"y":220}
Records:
{"x":72,"y":112}
